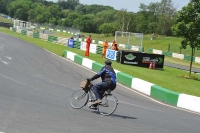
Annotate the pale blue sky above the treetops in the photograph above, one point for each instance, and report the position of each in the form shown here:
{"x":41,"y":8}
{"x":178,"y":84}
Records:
{"x":130,"y":5}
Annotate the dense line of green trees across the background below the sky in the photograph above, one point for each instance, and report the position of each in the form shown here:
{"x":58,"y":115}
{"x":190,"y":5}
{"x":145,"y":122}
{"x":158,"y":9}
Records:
{"x":157,"y":17}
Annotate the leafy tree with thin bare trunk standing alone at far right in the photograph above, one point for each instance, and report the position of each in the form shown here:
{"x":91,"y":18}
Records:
{"x":187,"y":26}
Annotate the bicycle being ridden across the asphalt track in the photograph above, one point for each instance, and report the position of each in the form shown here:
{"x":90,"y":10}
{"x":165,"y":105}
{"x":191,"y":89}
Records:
{"x":83,"y":97}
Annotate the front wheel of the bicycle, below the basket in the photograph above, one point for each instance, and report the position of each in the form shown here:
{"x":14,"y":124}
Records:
{"x":79,"y":99}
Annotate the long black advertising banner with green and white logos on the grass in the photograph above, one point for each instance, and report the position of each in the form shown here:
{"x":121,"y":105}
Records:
{"x":141,"y":59}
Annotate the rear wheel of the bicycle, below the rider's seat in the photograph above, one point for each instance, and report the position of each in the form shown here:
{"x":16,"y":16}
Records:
{"x":108,"y":105}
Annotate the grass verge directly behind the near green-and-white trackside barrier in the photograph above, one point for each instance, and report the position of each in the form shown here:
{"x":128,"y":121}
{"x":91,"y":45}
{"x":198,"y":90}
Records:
{"x":166,"y":78}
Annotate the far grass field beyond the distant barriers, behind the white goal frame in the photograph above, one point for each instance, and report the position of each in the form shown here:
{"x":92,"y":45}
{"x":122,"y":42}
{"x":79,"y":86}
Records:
{"x":160,"y":43}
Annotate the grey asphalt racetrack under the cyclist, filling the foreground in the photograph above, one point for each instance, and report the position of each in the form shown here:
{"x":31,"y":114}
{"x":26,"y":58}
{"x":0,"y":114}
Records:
{"x":35,"y":87}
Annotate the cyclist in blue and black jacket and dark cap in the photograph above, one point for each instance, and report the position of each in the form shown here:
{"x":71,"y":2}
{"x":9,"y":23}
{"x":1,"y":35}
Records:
{"x":108,"y":78}
